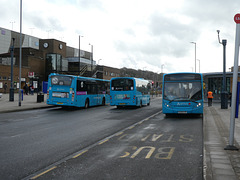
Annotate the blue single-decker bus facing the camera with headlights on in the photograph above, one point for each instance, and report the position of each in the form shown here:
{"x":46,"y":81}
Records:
{"x":182,"y":93}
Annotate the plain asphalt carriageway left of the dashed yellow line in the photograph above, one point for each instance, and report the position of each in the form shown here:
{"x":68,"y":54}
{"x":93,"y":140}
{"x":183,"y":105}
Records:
{"x":32,"y":140}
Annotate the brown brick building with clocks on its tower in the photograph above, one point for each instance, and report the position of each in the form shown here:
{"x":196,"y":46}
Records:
{"x":40,"y":57}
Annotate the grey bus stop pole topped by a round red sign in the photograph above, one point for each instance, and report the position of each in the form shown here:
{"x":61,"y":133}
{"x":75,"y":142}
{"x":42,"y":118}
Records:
{"x":234,"y":86}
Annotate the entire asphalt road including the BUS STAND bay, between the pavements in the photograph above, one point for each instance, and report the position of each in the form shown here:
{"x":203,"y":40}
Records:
{"x":100,"y":143}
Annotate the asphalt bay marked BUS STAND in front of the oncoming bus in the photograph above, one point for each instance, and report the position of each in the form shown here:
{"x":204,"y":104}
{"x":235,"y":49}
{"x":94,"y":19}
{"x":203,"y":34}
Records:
{"x":155,"y":148}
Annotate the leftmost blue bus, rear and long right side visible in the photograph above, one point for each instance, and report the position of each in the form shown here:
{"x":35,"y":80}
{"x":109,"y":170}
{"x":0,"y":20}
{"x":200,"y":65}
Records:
{"x":69,"y":90}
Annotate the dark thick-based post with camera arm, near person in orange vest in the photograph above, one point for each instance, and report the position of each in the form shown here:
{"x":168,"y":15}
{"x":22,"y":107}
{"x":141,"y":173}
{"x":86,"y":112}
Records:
{"x":224,"y":99}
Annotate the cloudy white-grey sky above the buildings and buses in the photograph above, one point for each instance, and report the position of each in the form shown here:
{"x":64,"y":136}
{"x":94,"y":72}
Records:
{"x":152,"y":35}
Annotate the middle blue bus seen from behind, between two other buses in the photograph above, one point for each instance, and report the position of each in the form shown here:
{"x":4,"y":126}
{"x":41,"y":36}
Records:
{"x":129,"y":91}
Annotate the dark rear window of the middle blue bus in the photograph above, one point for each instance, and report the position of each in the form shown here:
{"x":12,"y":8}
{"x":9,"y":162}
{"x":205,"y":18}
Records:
{"x":122,"y":85}
